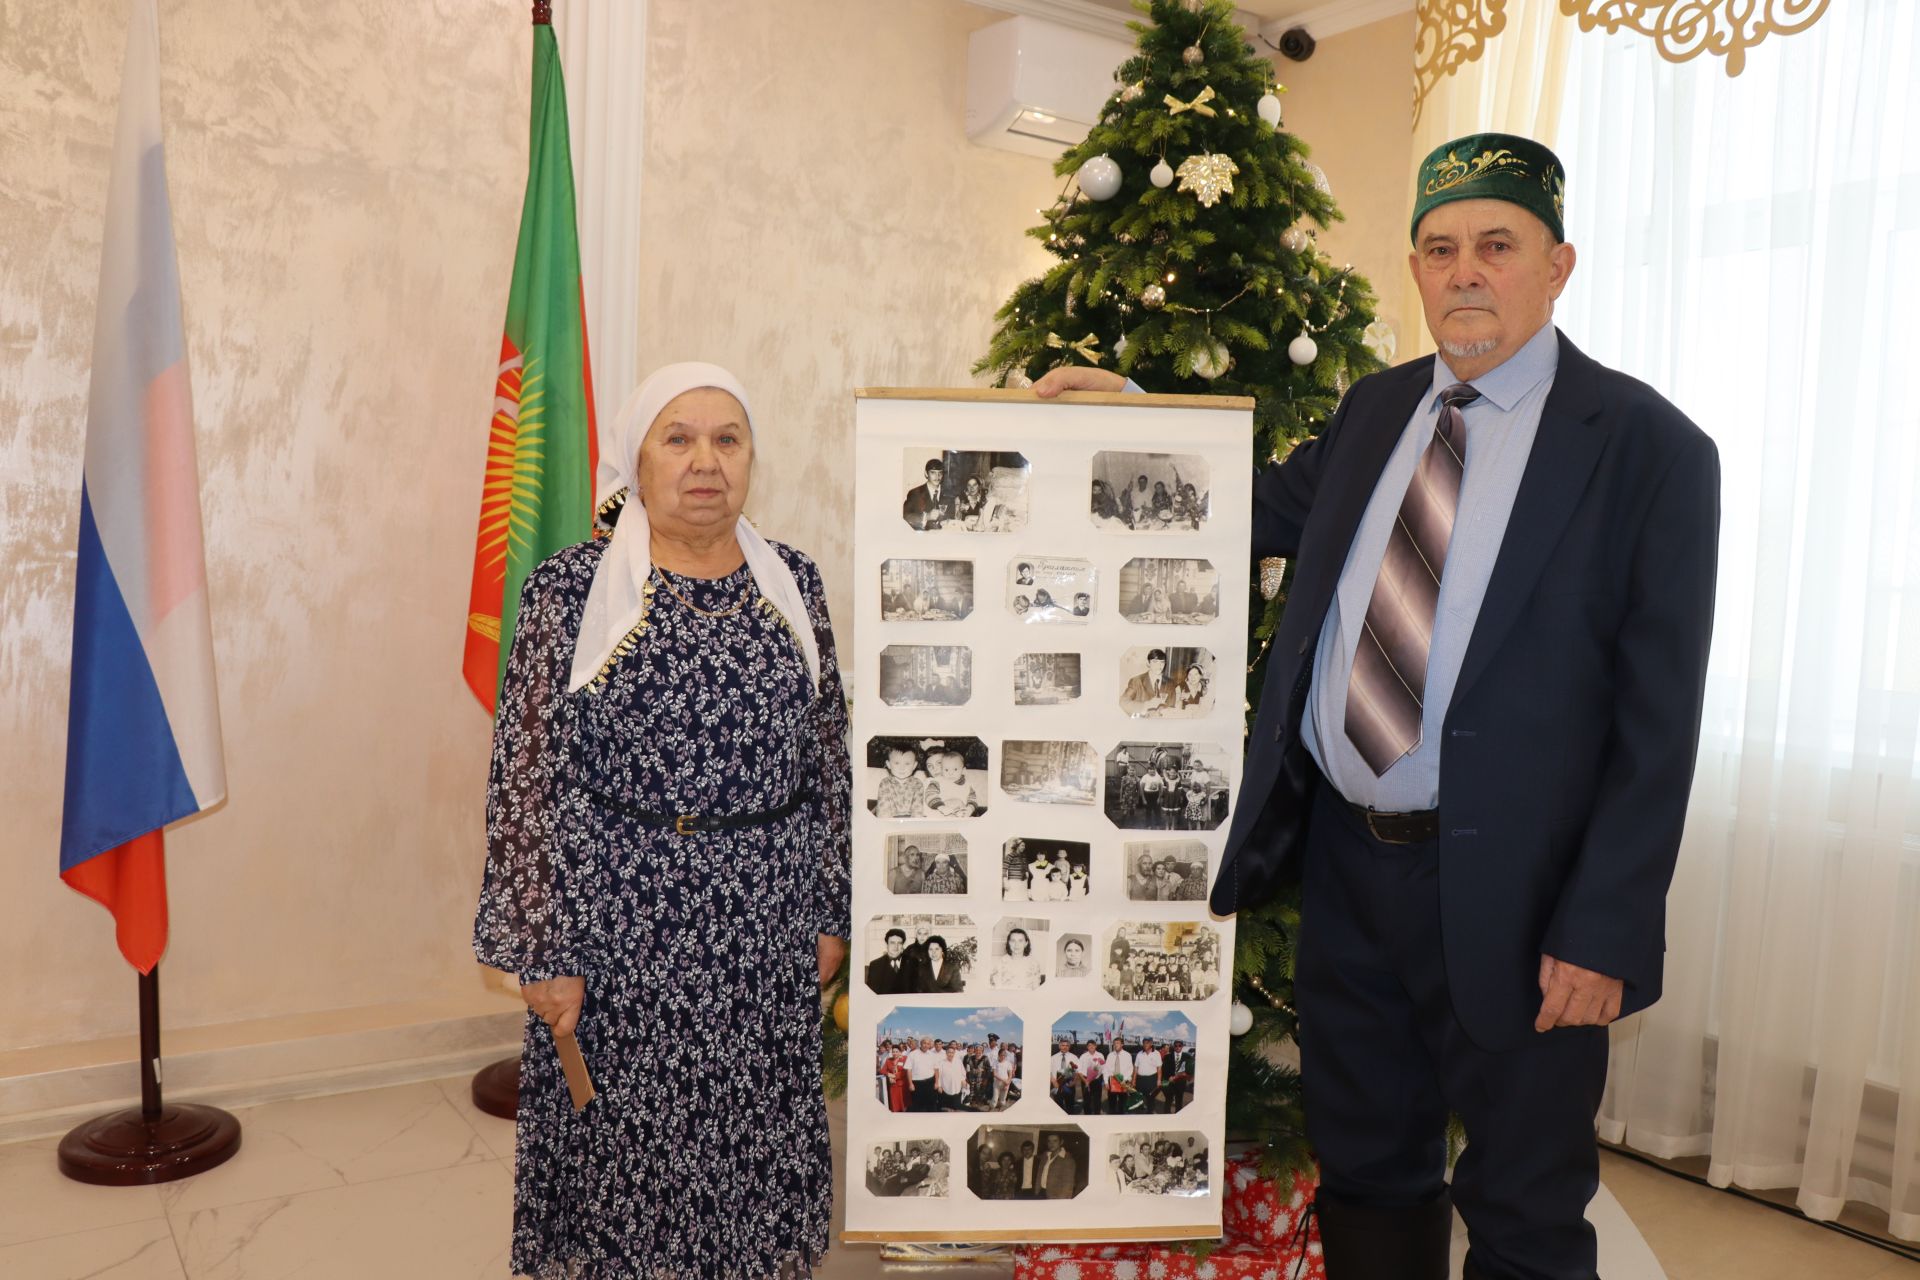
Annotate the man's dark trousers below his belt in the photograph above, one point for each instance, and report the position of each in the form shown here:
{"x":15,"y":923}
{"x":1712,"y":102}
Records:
{"x":1385,"y":1060}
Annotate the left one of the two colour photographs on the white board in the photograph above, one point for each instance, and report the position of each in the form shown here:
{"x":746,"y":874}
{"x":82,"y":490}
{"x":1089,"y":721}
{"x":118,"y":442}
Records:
{"x":948,"y":1060}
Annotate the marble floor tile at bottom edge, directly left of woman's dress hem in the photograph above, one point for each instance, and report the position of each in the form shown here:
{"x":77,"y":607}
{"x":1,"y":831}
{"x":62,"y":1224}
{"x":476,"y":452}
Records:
{"x":448,"y":1225}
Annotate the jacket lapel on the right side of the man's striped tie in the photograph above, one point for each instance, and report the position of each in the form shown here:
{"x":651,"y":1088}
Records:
{"x":1562,"y":462}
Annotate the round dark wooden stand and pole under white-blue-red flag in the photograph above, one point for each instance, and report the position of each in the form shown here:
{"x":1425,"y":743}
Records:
{"x":153,"y":1143}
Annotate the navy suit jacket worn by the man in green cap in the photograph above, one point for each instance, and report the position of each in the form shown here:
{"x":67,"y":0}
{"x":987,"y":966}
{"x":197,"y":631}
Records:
{"x":1572,"y":736}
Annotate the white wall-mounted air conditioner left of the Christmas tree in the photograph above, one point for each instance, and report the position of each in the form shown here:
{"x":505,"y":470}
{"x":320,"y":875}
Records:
{"x":1036,"y":87}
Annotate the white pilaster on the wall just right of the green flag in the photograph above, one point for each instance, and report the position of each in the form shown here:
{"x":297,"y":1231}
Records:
{"x":604,"y":53}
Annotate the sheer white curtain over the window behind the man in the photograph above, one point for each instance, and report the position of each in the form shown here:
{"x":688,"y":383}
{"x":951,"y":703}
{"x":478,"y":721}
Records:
{"x":1752,"y":249}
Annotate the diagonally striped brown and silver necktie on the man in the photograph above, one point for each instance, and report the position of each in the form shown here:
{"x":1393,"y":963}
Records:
{"x":1389,"y":684}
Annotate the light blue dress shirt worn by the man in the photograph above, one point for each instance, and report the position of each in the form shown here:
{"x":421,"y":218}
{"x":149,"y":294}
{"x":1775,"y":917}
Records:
{"x":1500,"y":435}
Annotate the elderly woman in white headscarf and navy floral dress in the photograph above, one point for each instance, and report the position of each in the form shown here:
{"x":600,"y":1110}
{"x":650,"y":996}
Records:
{"x":667,"y":865}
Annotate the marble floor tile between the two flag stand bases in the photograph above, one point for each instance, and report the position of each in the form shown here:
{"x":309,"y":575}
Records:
{"x":316,"y":1143}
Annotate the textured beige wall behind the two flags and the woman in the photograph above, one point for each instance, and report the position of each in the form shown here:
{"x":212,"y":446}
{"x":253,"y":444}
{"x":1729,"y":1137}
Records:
{"x":347,"y":185}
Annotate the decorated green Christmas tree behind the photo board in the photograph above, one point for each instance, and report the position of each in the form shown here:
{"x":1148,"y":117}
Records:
{"x":1186,"y":258}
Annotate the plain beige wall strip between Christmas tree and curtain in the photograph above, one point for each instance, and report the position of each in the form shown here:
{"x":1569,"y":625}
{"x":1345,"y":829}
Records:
{"x":1353,"y":103}
